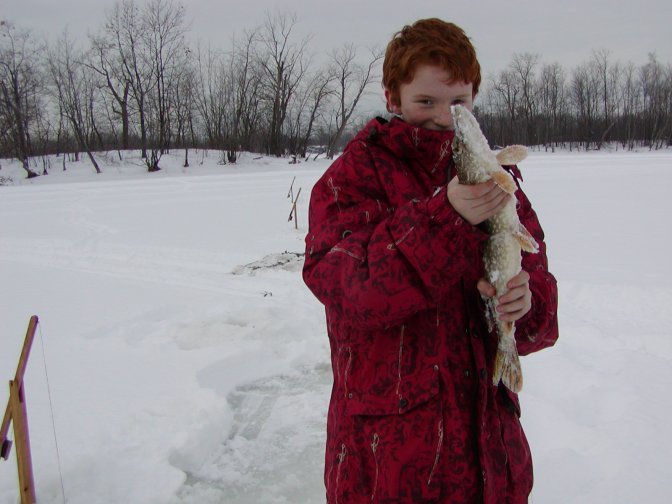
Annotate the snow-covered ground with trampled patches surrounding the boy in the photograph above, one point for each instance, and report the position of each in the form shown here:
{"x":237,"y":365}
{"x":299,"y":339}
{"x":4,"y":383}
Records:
{"x":188,"y":363}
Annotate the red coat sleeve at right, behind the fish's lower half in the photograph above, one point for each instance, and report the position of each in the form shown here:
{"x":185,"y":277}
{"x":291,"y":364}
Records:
{"x":539,"y":327}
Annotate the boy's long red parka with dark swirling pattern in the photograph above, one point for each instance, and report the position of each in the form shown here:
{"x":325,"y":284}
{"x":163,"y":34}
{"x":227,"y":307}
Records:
{"x":414,"y":416}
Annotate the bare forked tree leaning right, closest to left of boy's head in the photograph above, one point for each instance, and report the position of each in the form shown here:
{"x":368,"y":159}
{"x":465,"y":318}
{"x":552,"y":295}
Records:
{"x":352,"y":79}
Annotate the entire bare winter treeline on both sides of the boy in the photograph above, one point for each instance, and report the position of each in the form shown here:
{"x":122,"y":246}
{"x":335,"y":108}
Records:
{"x":138,"y":84}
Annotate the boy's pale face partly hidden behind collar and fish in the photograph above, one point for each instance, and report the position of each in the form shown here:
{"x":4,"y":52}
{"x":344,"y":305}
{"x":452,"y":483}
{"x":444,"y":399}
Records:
{"x":426,"y":100}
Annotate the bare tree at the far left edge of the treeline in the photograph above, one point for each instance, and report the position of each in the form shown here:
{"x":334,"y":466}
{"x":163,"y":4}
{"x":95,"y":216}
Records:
{"x":20,"y":85}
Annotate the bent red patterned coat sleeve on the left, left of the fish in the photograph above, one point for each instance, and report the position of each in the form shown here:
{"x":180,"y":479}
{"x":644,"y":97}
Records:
{"x":374,"y":266}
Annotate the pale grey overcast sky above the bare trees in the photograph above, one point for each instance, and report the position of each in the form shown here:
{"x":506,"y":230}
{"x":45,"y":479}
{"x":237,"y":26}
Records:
{"x":564,"y":32}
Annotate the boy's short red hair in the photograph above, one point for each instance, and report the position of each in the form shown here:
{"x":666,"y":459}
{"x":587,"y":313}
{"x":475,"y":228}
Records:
{"x":434,"y":42}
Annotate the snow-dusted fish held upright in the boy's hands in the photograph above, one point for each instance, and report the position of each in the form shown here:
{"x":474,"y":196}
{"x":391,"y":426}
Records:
{"x":475,"y":162}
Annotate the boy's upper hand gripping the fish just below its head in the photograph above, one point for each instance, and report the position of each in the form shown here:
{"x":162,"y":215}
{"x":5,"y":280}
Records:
{"x":476,"y":203}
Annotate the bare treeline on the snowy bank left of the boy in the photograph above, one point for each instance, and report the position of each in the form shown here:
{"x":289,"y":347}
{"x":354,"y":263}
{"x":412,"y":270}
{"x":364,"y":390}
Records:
{"x":138,"y":84}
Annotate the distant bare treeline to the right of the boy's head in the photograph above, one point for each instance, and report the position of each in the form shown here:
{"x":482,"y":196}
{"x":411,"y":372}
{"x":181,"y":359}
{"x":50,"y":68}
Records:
{"x":601,"y":101}
